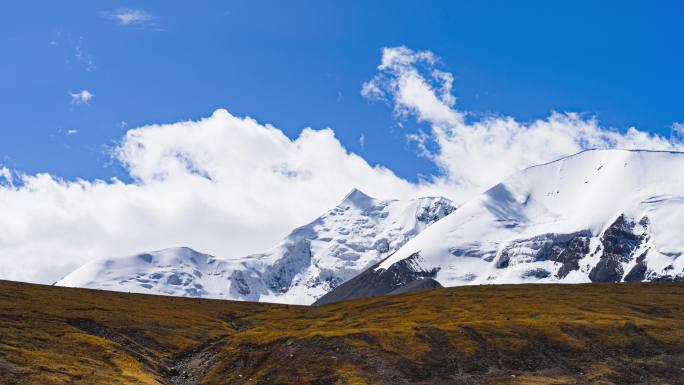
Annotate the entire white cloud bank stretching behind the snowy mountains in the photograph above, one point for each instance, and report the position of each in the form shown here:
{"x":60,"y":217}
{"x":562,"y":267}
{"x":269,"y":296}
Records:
{"x":231,"y":186}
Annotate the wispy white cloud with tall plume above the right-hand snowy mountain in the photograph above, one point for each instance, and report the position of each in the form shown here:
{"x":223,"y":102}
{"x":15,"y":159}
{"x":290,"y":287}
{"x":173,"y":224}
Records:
{"x":474,"y":155}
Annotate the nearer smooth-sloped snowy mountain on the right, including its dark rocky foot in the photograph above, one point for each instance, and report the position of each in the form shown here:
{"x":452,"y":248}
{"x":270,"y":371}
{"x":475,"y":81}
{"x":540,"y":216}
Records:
{"x":597,"y":216}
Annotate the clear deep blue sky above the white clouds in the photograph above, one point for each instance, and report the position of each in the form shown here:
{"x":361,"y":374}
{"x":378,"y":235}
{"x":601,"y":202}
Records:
{"x":304,"y":64}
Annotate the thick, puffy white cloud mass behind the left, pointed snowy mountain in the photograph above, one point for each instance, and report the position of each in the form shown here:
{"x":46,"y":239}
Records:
{"x":224,"y":185}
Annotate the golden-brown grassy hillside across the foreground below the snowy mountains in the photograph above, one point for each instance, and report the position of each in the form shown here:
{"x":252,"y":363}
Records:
{"x":524,"y":334}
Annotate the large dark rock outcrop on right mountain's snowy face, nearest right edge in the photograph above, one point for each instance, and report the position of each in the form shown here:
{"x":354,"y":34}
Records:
{"x":618,"y":243}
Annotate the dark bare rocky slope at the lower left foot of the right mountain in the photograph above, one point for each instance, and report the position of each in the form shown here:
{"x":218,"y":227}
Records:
{"x":372,"y":283}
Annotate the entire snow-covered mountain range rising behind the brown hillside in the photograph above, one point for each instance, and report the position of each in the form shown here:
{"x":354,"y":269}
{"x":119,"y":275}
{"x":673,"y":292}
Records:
{"x":596,"y":216}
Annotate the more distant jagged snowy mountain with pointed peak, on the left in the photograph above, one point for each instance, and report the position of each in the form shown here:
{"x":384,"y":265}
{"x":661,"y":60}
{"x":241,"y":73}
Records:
{"x":308,"y":263}
